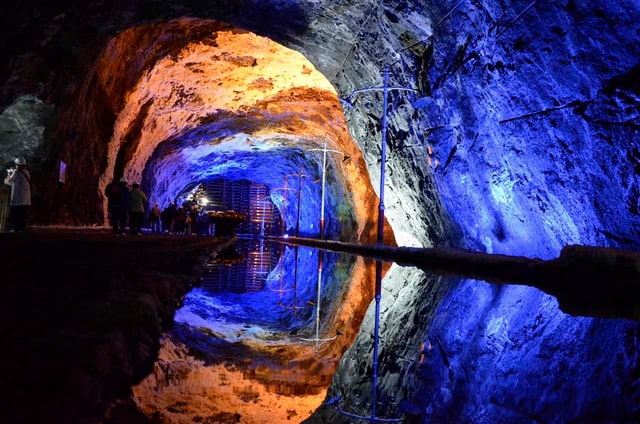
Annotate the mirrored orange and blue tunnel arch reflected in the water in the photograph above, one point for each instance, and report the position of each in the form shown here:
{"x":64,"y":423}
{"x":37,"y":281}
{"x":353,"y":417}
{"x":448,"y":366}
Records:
{"x":235,"y":349}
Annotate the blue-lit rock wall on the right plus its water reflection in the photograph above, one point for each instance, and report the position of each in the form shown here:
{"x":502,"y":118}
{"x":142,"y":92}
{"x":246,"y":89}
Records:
{"x":529,"y":121}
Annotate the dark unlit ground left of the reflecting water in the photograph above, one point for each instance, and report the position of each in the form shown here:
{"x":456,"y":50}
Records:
{"x":83,"y":312}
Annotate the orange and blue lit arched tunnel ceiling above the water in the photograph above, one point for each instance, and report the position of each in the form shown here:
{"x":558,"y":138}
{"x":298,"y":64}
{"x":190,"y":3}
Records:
{"x":222,"y":102}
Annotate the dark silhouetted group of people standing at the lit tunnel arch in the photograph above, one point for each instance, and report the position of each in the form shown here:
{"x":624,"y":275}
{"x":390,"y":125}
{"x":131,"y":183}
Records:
{"x":125,"y":202}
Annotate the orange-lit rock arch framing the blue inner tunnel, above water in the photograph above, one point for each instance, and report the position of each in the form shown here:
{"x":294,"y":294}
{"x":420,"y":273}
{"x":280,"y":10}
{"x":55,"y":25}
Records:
{"x":162,"y":81}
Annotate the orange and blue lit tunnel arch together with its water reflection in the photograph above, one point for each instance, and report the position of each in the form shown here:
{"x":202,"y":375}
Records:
{"x":235,"y":108}
